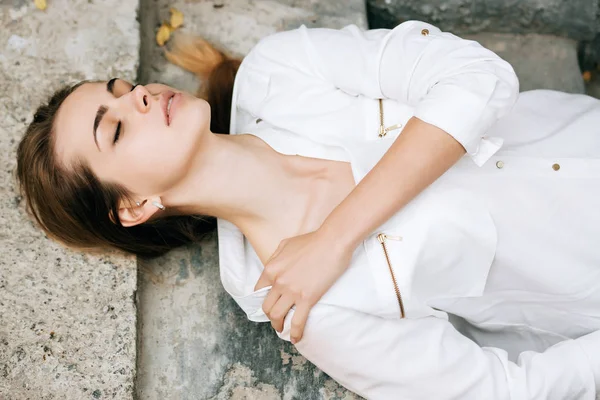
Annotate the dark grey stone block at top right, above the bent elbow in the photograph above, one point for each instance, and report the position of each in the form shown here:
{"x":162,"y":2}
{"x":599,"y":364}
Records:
{"x":577,"y":19}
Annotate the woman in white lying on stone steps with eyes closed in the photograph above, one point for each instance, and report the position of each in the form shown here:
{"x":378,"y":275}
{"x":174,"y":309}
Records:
{"x":432,"y":275}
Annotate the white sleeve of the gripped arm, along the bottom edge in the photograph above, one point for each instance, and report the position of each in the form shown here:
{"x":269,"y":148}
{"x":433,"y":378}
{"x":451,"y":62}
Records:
{"x":428,"y":359}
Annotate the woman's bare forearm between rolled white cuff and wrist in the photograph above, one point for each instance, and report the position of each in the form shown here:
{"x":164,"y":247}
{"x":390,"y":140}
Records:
{"x":420,"y":155}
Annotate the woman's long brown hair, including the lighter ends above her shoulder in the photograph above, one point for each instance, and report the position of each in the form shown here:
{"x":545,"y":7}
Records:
{"x":74,"y":207}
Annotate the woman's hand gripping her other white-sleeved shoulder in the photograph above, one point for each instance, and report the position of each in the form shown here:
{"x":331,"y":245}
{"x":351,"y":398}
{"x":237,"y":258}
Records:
{"x":301,"y":270}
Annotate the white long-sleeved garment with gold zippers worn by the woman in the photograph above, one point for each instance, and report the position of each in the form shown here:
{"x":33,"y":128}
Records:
{"x":499,"y":265}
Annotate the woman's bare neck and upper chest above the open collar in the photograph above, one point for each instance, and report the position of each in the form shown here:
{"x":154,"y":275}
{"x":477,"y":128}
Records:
{"x":241,"y":179}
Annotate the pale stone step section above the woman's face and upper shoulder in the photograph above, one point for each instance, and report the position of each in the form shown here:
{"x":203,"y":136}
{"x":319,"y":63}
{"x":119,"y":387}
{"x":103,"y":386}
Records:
{"x":235,"y":26}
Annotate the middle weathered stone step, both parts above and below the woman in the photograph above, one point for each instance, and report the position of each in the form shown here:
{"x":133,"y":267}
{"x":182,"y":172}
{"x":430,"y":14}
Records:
{"x":194,"y":341}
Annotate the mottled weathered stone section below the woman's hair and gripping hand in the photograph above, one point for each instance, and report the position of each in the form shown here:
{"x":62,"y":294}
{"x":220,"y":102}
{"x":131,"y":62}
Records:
{"x":196,"y":343}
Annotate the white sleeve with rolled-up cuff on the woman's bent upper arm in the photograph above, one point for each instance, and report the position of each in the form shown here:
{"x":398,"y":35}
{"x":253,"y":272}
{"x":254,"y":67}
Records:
{"x":453,"y":83}
